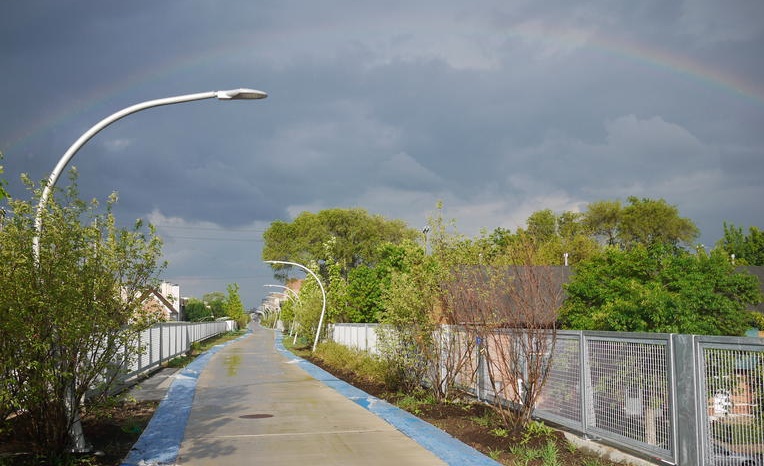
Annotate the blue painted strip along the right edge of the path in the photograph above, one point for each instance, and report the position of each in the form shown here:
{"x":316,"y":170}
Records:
{"x":444,"y":446}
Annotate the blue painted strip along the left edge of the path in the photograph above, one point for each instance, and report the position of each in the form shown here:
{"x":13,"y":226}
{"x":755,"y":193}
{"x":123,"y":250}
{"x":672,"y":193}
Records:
{"x":159,"y":444}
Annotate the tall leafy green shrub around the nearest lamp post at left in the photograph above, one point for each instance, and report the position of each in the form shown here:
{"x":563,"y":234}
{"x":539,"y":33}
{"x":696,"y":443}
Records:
{"x":66,"y":318}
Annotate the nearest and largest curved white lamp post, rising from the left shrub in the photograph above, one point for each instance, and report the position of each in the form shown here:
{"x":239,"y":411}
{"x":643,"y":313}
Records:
{"x":75,"y":432}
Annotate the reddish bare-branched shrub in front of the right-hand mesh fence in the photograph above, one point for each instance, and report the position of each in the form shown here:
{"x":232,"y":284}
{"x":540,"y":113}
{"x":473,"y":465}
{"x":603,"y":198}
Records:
{"x":513,"y":309}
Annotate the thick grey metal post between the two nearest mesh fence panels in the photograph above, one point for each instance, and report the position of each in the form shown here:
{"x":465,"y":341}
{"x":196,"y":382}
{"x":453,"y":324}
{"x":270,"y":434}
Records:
{"x":687,"y":400}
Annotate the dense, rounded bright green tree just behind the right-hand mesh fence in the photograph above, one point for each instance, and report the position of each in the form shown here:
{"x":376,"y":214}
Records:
{"x":659,"y":289}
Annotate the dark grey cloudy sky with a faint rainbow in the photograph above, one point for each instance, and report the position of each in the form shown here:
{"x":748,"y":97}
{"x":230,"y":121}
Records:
{"x":497,"y":108}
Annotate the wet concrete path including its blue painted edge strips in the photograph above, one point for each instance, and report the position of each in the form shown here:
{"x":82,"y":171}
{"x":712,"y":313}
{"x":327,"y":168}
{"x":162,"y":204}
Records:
{"x":251,"y":402}
